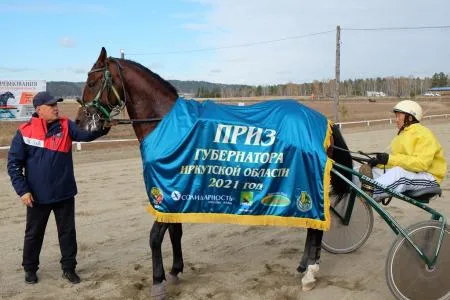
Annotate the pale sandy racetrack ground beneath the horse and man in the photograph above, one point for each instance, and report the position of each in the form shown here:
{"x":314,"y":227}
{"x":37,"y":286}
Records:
{"x":222,"y":261}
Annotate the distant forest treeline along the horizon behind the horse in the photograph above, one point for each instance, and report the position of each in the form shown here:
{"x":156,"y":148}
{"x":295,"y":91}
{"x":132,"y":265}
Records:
{"x":391,"y":86}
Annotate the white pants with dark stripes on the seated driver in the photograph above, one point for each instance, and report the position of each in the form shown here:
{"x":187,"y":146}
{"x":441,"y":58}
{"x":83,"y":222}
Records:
{"x":399,"y":180}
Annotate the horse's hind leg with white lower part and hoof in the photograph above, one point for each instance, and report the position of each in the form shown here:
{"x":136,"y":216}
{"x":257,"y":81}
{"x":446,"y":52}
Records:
{"x":311,"y":258}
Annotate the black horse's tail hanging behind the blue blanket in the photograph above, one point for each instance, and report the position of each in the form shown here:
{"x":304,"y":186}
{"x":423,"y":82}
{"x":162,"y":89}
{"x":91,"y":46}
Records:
{"x":340,"y":187}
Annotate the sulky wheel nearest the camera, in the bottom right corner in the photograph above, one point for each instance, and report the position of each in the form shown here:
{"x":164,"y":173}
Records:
{"x":407,"y":274}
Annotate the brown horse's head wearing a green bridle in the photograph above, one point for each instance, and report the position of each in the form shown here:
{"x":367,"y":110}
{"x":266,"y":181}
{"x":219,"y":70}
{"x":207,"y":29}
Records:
{"x":103,"y":94}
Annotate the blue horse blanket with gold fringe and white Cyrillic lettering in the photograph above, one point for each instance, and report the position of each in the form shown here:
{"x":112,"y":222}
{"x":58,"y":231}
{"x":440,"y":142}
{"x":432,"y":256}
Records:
{"x":263,"y":164}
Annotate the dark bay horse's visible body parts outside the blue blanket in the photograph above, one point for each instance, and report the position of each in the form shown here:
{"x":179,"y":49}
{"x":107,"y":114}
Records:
{"x":115,"y":84}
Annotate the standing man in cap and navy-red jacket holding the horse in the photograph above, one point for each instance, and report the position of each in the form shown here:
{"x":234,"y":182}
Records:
{"x":41,"y":169}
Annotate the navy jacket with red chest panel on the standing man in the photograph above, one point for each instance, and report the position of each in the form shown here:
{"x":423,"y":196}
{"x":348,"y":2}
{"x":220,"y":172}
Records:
{"x":44,"y":151}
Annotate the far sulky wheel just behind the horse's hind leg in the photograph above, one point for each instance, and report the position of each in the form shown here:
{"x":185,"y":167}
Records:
{"x":343,"y":238}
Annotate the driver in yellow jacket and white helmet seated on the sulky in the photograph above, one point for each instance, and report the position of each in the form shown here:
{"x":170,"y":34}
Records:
{"x":416,"y":160}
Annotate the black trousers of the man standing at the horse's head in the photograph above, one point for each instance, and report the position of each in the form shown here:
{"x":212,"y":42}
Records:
{"x":37,"y":218}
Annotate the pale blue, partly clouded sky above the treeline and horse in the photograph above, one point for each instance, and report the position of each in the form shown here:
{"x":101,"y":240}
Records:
{"x":226,"y":41}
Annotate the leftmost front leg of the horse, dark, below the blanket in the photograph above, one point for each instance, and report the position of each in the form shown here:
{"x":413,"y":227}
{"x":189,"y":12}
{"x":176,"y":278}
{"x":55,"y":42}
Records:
{"x":156,"y":238}
